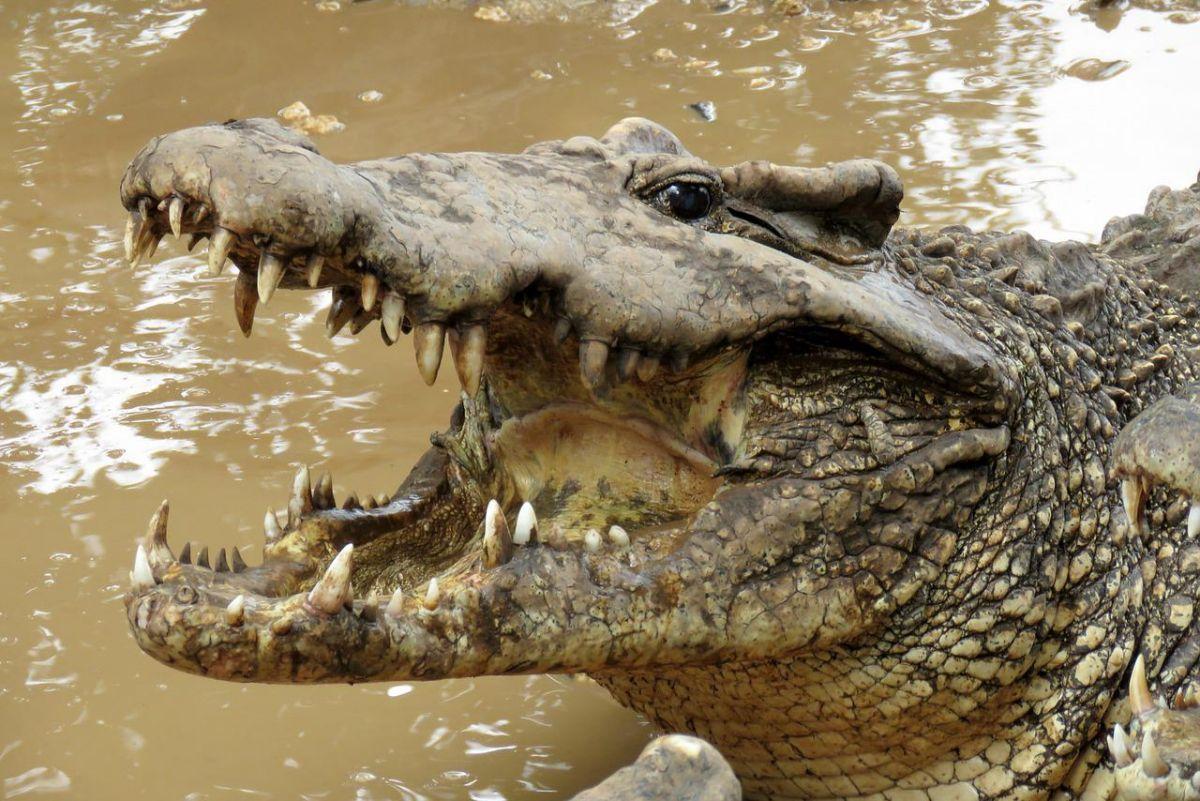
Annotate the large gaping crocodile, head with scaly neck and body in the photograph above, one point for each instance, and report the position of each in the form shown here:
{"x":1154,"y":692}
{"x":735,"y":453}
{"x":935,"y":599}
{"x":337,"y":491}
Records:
{"x":875,"y":513}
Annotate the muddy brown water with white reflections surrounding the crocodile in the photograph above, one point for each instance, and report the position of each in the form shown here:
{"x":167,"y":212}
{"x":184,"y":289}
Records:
{"x":118,"y":390}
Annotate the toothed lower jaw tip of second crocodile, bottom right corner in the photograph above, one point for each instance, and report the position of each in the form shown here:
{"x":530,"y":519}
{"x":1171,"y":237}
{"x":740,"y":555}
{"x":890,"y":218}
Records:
{"x":1160,"y":757}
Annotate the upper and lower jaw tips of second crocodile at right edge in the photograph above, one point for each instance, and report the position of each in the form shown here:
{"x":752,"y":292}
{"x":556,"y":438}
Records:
{"x":1160,"y":756}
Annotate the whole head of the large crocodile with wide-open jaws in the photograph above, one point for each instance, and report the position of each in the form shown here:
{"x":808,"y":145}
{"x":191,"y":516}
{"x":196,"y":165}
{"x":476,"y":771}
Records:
{"x":707,"y":413}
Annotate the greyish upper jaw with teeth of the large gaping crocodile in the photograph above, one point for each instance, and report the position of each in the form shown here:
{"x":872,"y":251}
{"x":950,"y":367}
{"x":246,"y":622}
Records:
{"x":442,"y":243}
